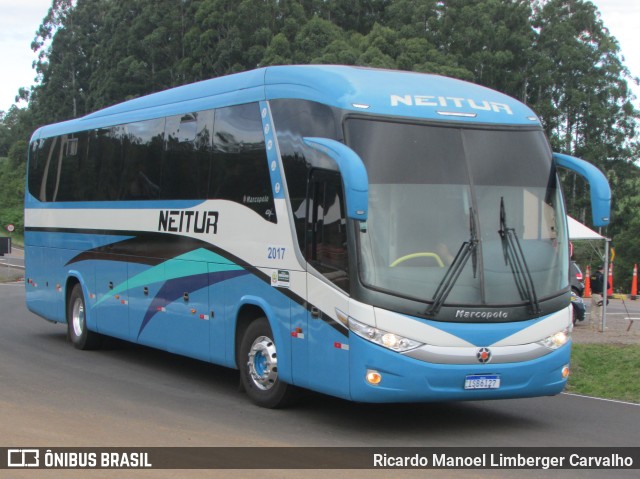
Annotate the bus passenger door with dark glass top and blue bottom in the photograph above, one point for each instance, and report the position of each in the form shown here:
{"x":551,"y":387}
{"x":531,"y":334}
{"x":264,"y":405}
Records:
{"x":326,"y":250}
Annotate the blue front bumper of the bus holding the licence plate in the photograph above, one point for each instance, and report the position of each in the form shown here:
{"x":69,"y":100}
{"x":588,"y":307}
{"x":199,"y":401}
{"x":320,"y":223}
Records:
{"x":405,"y":379}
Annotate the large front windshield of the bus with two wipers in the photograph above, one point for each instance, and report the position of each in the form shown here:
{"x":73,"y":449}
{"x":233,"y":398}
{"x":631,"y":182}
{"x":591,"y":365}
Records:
{"x":485,"y":202}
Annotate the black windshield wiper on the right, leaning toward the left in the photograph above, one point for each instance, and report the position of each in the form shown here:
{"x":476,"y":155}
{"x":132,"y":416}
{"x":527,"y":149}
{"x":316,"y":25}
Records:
{"x":514,"y":257}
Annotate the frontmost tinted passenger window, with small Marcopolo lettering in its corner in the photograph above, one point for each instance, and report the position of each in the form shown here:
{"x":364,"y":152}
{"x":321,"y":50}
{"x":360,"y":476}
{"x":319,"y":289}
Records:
{"x":241,"y":172}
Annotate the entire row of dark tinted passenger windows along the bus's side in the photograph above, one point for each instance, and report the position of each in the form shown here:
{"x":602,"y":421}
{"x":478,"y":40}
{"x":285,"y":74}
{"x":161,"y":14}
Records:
{"x":180,"y":157}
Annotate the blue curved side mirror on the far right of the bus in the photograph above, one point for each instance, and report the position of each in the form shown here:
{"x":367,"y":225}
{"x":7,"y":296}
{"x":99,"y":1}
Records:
{"x":598,"y":184}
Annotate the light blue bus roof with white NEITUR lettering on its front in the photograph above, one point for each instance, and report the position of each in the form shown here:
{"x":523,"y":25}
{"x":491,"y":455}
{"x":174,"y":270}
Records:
{"x":367,"y":90}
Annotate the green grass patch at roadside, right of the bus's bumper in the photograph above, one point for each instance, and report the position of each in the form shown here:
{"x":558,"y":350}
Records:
{"x":606,"y":370}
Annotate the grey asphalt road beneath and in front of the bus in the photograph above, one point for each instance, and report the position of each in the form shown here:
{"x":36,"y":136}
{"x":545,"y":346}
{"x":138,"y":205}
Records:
{"x":52,"y":395}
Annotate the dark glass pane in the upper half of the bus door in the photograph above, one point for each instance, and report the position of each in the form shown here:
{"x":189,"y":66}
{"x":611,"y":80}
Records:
{"x":326,"y":228}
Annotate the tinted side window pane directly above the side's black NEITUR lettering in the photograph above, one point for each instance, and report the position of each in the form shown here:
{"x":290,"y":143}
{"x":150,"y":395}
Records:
{"x":187,"y":163}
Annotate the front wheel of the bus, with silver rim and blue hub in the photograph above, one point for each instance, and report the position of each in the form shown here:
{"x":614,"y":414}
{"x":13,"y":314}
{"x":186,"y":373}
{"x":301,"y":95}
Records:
{"x":258,"y":364}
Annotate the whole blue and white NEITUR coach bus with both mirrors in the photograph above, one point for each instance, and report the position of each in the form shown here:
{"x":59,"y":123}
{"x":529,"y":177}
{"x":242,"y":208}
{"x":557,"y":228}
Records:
{"x":379,"y":236}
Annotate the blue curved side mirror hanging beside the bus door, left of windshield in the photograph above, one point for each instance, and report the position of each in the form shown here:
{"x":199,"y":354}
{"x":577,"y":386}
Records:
{"x":353,"y":171}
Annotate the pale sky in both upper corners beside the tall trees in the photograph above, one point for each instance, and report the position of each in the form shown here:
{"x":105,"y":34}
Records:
{"x":19,"y":20}
